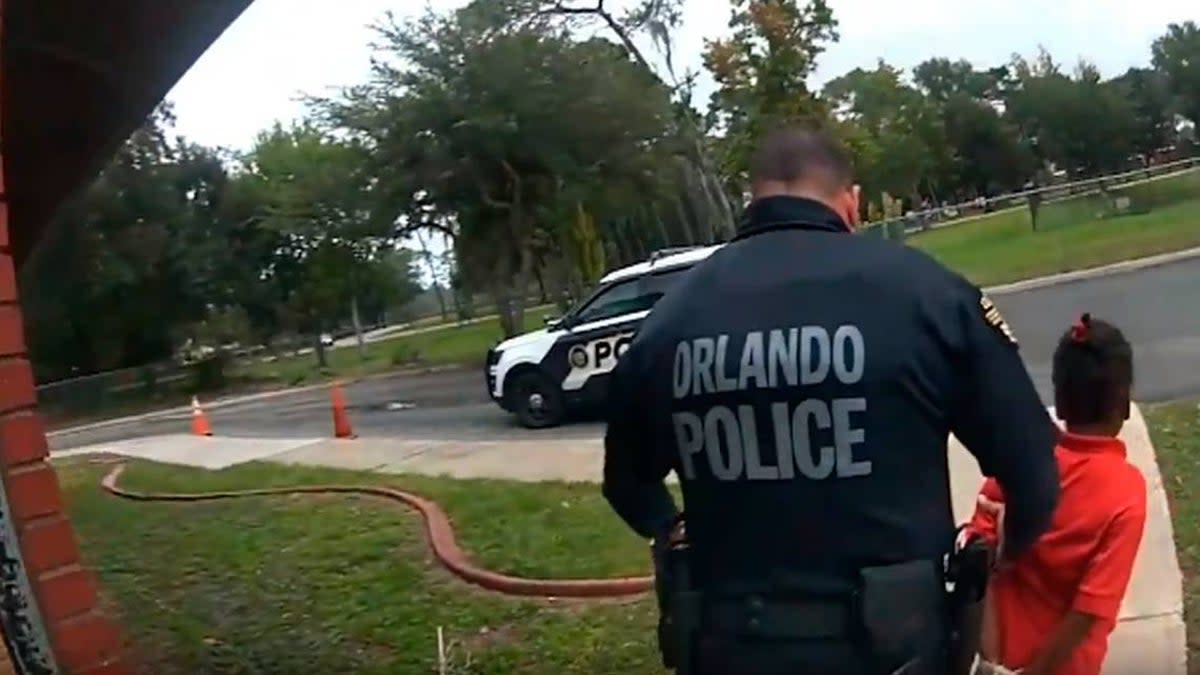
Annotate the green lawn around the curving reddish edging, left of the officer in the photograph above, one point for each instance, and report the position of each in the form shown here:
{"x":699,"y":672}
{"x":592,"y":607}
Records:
{"x":297,"y":586}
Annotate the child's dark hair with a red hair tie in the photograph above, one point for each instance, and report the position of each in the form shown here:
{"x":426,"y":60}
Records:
{"x":1093,"y":372}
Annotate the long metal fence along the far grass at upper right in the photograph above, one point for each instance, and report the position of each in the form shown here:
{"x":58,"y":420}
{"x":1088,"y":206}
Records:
{"x":950,"y":216}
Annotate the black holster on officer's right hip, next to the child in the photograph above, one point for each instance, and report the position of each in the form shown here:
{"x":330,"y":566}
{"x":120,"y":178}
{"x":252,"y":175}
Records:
{"x":967,"y":575}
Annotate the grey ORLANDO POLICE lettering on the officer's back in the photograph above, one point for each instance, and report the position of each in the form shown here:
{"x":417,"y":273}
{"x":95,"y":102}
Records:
{"x":811,"y":438}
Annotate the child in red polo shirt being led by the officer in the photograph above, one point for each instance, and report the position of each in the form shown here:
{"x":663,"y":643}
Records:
{"x":1052,"y":612}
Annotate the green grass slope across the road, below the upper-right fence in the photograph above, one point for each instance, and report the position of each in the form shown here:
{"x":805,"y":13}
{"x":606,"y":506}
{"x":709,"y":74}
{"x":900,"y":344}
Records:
{"x":1004,"y":248}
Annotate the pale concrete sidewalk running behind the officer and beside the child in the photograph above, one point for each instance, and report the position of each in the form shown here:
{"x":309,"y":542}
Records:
{"x":1151,"y":637}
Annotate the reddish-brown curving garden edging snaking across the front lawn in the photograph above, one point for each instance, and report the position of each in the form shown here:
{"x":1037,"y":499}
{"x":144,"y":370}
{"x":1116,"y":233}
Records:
{"x":439,"y":531}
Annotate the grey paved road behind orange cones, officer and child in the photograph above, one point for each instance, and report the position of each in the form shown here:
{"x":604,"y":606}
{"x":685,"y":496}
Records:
{"x":1159,"y":308}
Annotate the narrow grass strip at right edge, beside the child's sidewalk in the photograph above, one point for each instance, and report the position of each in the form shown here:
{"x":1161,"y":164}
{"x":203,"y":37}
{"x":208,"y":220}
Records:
{"x":1177,"y":433}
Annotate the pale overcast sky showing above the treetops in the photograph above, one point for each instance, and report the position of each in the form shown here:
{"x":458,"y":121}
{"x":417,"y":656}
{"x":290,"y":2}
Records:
{"x":279,"y":50}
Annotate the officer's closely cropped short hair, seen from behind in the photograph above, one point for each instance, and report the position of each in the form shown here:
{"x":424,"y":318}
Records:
{"x":799,"y":156}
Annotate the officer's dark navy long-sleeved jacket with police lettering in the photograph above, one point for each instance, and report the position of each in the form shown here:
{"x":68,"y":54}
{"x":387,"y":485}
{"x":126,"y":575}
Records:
{"x":933,"y":359}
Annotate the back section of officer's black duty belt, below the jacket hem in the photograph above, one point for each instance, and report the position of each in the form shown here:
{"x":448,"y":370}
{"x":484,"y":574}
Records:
{"x":755,"y":617}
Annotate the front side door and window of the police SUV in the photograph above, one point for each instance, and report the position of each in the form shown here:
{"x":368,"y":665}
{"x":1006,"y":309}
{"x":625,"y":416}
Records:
{"x":603,"y":330}
